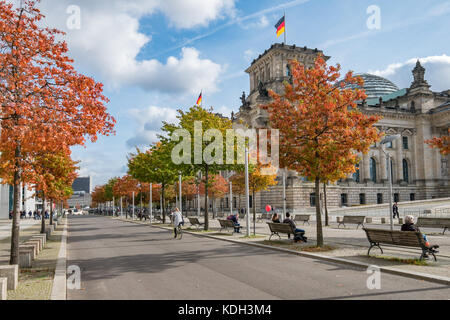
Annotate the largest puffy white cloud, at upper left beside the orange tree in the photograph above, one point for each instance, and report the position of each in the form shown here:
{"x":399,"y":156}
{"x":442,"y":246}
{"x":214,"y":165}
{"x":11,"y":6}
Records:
{"x":110,"y":40}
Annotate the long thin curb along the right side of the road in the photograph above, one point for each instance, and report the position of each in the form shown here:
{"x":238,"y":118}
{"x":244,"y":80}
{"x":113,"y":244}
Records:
{"x":360,"y":265}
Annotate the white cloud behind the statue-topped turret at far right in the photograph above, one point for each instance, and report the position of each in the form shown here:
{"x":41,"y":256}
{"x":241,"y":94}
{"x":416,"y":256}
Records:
{"x":437,"y":72}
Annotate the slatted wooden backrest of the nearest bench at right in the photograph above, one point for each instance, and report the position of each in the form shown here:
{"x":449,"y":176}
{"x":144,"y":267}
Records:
{"x":401,"y":238}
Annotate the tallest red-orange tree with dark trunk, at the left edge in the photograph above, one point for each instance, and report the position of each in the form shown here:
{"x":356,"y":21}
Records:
{"x":45,"y":103}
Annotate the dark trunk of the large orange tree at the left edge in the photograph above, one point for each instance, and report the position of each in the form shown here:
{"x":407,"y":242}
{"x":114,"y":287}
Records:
{"x":15,"y":231}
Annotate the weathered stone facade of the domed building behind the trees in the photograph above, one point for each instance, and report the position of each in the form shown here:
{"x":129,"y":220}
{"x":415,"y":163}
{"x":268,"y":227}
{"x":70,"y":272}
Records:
{"x":416,"y":114}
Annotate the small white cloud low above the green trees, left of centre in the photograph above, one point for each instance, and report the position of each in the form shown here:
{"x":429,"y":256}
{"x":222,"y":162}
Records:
{"x":149,"y":122}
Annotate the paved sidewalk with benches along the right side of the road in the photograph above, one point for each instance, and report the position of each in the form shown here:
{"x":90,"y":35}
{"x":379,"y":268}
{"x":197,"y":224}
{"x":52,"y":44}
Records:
{"x":350,"y":244}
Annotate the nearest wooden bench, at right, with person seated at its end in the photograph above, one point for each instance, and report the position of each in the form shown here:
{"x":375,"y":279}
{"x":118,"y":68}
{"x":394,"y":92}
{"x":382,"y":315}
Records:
{"x":397,"y":238}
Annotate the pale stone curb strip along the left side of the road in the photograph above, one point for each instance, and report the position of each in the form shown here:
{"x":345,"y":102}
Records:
{"x":59,"y":289}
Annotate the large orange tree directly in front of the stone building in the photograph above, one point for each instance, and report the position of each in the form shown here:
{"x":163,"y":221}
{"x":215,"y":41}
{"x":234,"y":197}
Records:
{"x":320,"y":123}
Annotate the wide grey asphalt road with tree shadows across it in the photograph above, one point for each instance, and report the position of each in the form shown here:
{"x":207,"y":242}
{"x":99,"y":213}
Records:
{"x":120,"y":260}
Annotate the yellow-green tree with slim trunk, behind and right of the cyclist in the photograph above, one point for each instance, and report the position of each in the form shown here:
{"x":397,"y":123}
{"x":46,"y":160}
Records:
{"x":203,"y":139}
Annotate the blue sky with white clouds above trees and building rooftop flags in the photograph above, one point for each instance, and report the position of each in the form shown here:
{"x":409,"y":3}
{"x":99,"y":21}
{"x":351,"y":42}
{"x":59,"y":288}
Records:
{"x":154,"y":56}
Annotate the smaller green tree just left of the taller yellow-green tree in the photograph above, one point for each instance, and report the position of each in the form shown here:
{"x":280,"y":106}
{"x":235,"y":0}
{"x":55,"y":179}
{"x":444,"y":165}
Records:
{"x":154,"y":166}
